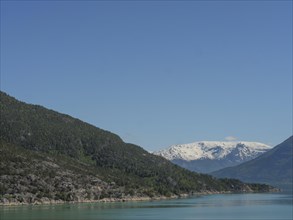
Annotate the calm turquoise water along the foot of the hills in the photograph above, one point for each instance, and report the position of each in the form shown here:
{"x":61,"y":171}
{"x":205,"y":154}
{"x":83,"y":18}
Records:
{"x":230,"y":206}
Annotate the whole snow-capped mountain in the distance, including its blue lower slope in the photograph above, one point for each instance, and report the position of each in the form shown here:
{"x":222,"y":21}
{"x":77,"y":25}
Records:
{"x":208,"y":156}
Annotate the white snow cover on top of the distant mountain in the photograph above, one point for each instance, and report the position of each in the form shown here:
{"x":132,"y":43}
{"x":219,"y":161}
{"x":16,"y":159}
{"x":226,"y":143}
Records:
{"x":213,"y":150}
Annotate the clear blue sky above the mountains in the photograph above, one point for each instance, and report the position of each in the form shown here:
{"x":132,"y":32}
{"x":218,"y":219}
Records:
{"x":156,"y":73}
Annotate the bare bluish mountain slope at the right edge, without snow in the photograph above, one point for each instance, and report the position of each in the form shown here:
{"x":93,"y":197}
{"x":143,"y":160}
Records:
{"x":273,"y":167}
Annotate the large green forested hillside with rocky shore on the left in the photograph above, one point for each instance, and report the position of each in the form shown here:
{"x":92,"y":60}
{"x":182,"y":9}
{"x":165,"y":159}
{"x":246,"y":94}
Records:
{"x":50,"y":157}
